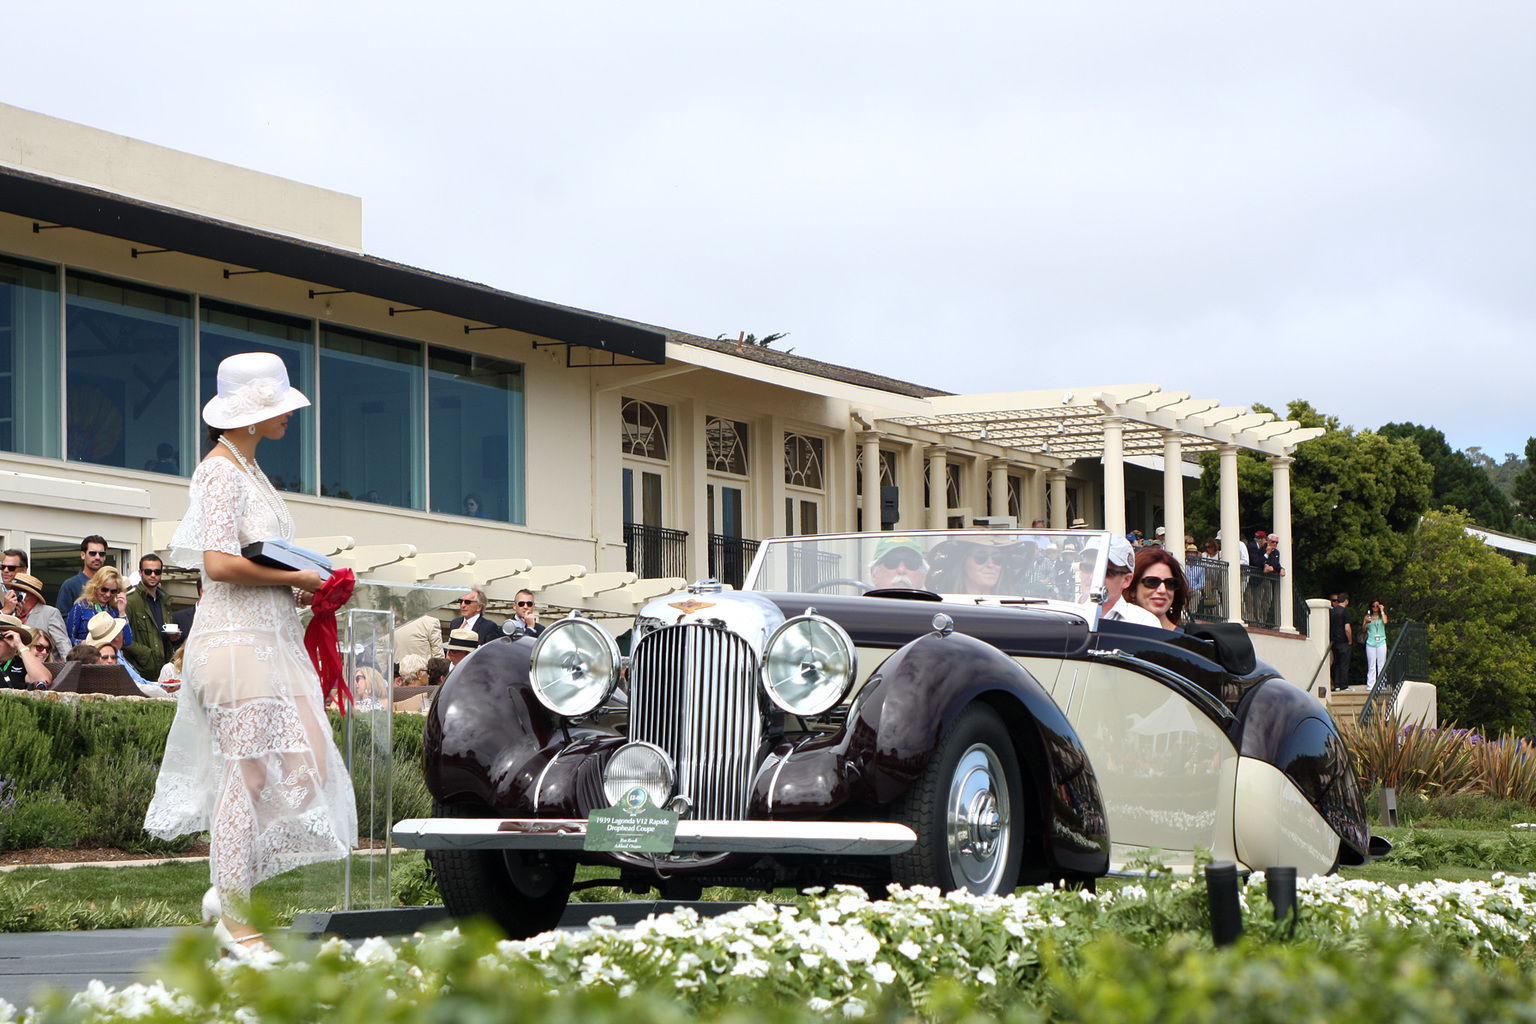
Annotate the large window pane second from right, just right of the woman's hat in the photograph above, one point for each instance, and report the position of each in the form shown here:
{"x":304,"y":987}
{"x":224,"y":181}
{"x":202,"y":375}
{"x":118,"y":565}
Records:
{"x":371,"y":418}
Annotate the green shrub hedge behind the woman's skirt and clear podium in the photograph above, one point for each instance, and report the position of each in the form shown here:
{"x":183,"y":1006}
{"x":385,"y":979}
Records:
{"x":82,"y":771}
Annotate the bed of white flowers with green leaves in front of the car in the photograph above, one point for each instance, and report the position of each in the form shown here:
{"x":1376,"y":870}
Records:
{"x":838,"y":953}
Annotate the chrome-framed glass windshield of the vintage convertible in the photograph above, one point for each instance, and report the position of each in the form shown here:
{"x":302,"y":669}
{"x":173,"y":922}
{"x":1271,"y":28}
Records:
{"x":1064,"y":566}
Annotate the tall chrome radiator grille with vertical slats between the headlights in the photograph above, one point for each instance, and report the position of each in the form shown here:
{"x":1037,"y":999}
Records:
{"x":694,"y":693}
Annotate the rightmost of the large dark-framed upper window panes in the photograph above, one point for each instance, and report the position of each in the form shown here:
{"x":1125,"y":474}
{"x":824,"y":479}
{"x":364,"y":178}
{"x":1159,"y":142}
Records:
{"x":477,"y":435}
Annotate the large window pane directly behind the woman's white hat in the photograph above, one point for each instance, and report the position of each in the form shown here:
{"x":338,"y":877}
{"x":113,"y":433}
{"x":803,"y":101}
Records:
{"x":233,"y":329}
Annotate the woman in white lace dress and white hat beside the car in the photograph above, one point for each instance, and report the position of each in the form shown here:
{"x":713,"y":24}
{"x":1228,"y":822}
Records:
{"x":250,"y":758}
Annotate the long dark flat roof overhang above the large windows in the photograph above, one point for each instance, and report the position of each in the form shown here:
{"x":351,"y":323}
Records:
{"x":62,"y":203}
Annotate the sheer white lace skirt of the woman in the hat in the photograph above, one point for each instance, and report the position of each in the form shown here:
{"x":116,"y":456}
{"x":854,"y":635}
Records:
{"x":251,"y":758}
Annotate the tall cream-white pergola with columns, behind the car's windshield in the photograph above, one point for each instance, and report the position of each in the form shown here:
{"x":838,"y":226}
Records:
{"x":1058,"y":428}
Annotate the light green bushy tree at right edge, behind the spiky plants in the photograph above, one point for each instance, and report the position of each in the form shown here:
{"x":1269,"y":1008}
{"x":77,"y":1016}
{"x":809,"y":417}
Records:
{"x":1480,"y":612}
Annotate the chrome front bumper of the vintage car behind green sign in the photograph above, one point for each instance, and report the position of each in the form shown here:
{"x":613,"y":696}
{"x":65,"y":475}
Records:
{"x":867,"y":839}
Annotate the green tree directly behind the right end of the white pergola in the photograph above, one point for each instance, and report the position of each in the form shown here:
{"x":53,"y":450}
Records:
{"x":1354,"y":503}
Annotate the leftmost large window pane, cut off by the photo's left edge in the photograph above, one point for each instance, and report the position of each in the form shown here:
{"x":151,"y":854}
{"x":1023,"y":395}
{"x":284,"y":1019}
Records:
{"x":30,"y":383}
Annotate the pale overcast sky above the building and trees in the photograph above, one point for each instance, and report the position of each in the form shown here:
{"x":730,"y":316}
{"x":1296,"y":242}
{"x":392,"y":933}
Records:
{"x":1325,"y":202}
